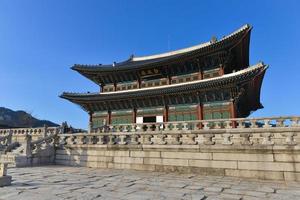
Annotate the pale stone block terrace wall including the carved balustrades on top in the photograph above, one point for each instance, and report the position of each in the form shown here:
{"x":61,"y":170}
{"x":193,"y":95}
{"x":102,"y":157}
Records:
{"x":256,"y":150}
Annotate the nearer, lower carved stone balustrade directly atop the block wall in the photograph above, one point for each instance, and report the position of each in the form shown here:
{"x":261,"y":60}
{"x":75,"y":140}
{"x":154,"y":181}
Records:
{"x":223,"y":137}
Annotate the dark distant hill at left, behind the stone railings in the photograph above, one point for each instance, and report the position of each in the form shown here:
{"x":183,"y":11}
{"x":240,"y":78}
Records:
{"x":15,"y":119}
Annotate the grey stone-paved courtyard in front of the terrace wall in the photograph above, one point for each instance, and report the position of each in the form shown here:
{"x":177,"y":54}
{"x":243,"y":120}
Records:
{"x":58,"y":182}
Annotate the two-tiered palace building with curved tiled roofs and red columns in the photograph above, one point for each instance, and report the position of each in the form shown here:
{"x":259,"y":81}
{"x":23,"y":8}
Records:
{"x":212,"y":80}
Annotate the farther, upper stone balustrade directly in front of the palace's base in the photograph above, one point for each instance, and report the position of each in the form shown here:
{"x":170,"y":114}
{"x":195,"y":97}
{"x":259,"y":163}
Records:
{"x":237,"y":123}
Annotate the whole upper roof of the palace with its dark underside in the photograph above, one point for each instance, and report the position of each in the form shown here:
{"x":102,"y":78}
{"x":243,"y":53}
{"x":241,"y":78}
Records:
{"x":236,"y":43}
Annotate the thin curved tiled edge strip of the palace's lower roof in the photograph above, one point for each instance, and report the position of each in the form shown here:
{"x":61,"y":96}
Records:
{"x":239,"y":77}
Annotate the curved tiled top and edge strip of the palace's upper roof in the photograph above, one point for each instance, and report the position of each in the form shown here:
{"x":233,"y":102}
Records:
{"x":139,"y":62}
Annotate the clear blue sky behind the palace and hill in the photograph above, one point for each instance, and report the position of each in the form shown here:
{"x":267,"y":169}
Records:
{"x":40,"y":40}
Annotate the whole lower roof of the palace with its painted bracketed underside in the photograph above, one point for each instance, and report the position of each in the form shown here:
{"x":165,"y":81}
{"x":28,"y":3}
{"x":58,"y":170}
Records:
{"x":244,"y":84}
